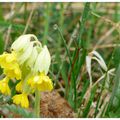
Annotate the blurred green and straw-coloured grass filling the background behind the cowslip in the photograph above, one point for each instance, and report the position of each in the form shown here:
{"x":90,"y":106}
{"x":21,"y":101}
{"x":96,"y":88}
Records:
{"x":71,"y":31}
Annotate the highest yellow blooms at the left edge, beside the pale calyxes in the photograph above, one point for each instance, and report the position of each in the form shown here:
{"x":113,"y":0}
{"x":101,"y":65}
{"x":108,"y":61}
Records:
{"x":8,"y":61}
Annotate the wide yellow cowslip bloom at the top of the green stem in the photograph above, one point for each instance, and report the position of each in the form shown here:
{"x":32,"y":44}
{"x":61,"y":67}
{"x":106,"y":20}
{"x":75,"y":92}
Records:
{"x":41,"y":82}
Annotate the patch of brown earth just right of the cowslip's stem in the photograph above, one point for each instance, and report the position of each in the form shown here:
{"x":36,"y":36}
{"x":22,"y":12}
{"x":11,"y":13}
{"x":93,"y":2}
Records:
{"x":54,"y":106}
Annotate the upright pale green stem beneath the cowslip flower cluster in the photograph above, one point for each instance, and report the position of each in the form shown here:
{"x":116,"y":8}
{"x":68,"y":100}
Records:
{"x":37,"y":104}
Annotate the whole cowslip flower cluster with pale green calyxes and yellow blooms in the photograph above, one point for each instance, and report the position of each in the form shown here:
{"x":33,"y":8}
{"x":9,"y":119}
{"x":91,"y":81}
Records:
{"x":28,"y":62}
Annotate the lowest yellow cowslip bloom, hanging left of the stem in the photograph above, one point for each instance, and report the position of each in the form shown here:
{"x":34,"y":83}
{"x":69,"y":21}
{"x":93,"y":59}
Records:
{"x":21,"y":99}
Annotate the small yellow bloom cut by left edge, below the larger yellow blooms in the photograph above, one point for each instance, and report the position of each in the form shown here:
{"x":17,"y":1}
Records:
{"x":4,"y":88}
